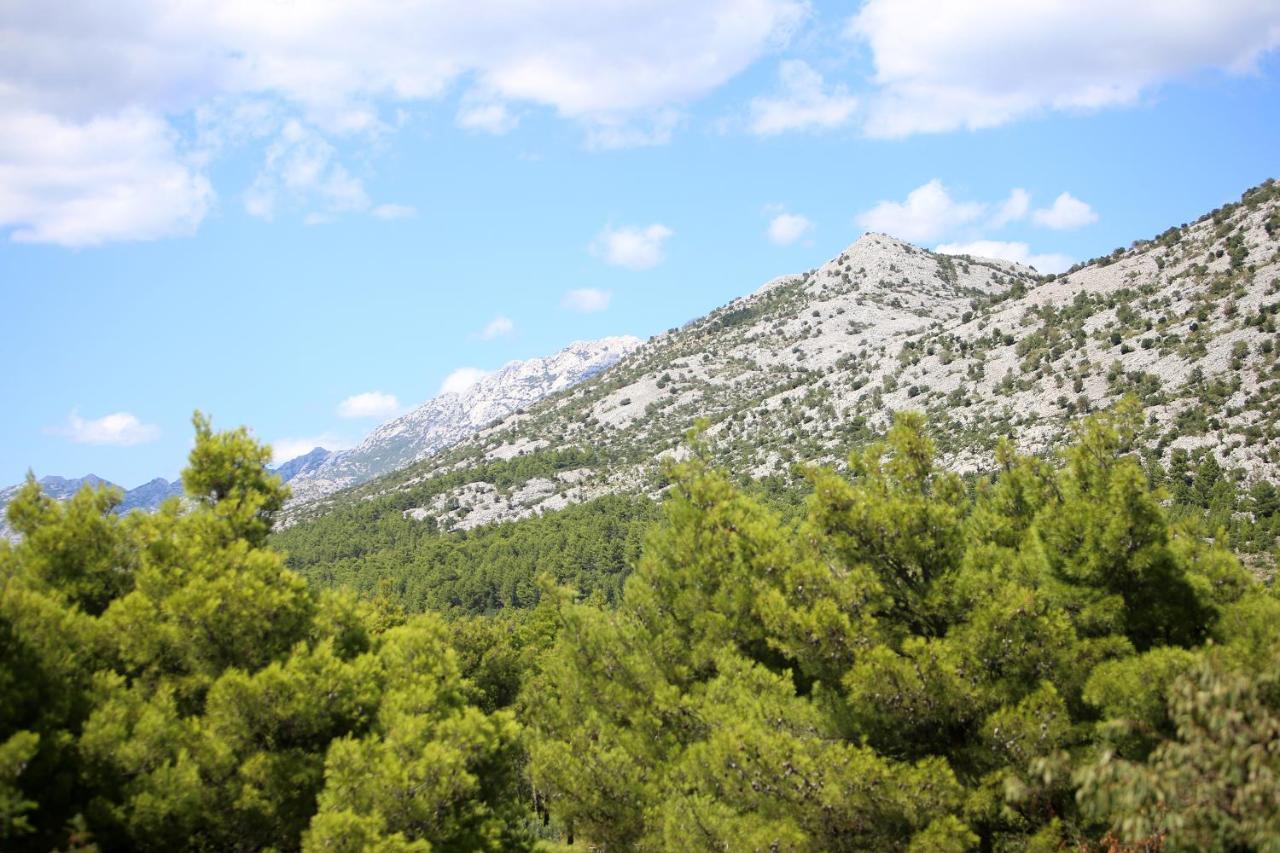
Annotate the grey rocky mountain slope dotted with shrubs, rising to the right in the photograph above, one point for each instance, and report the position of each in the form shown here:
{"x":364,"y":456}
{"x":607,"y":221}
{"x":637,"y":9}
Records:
{"x":812,"y":366}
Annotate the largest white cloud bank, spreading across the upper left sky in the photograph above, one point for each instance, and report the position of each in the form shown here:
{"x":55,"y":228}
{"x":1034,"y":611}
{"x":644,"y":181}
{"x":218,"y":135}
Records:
{"x":90,"y":99}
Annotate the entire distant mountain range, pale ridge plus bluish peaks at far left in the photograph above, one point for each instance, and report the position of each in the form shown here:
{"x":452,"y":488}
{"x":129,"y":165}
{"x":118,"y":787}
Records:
{"x":436,"y":425}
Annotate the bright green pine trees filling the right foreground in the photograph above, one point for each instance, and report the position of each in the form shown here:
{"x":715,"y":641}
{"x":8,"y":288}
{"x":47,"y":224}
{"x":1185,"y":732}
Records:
{"x":913,"y":667}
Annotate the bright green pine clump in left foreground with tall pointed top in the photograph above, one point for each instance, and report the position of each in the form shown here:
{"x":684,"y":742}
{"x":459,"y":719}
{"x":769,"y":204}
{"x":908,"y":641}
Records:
{"x":166,"y":683}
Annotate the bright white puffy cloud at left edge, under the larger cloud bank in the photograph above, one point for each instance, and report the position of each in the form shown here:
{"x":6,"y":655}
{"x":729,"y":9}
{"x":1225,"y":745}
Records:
{"x":88,"y":183}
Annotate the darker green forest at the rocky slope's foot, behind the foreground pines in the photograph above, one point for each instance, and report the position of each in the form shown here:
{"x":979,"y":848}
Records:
{"x":593,"y":546}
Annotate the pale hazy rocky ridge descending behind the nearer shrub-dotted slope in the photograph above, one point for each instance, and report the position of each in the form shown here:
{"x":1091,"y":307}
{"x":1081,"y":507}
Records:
{"x":452,"y":417}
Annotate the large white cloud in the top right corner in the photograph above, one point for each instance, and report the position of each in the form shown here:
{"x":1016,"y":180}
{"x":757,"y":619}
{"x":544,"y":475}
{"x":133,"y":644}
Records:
{"x":981,"y":63}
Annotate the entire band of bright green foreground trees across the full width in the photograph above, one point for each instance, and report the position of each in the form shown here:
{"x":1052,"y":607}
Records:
{"x":1044,"y":660}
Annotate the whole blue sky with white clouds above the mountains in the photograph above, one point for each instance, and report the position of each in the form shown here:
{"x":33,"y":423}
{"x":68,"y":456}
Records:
{"x":310,"y":217}
